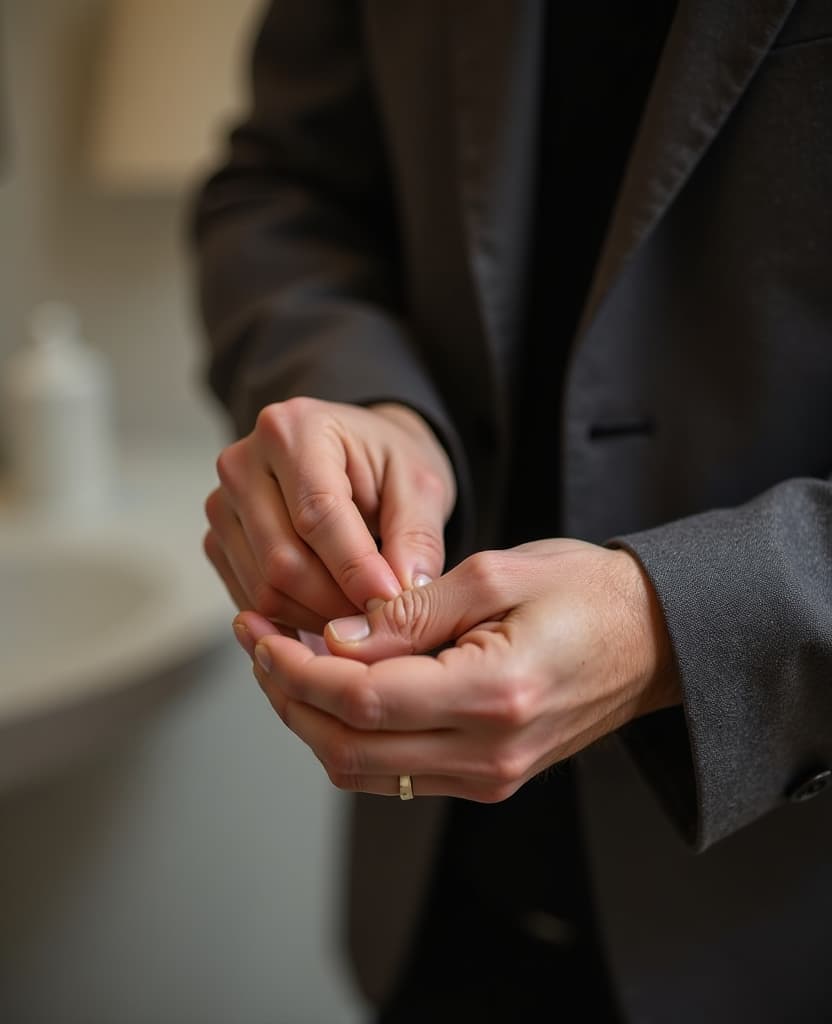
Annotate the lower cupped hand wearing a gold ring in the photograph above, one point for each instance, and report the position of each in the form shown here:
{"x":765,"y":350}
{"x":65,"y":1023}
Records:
{"x":560,"y":643}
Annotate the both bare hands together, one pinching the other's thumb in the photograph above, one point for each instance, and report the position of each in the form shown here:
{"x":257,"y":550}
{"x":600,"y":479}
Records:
{"x":547,"y":648}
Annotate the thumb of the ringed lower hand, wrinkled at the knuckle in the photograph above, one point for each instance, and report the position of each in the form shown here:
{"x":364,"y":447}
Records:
{"x":422,"y":619}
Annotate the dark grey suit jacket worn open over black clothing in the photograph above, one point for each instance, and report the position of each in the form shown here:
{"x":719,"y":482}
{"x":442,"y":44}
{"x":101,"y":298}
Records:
{"x":367,"y":240}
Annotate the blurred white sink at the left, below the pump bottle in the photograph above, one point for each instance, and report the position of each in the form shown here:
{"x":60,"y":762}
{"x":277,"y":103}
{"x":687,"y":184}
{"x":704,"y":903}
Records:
{"x":90,"y":616}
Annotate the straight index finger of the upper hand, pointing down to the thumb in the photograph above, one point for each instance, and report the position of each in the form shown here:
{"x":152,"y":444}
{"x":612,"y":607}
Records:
{"x":313,"y":476}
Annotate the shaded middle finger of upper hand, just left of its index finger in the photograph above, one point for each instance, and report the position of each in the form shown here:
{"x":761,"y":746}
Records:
{"x":285,"y":562}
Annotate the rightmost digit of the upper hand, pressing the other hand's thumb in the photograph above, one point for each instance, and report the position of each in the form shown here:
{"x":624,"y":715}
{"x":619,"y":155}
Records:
{"x":412,"y":527}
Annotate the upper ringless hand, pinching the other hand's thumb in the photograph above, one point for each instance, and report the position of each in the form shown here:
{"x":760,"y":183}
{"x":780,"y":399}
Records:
{"x":304,"y":495}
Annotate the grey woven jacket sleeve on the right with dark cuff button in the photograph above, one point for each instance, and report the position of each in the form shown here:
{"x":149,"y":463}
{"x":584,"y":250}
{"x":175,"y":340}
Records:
{"x":747,"y":599}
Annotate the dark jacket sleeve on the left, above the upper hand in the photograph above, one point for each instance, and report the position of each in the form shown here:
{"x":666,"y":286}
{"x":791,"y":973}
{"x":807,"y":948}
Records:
{"x":298,"y":257}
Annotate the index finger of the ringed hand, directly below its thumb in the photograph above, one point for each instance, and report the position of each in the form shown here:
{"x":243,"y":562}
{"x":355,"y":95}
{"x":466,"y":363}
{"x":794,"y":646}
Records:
{"x":404,"y":695}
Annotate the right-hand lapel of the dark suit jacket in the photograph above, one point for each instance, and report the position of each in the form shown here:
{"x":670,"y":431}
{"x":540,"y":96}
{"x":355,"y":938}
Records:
{"x":713,"y":52}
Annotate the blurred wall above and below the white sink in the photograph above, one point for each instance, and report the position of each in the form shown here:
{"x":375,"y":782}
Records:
{"x":190,"y":873}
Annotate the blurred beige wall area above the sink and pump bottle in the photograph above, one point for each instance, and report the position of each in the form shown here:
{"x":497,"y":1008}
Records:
{"x":120,"y":261}
